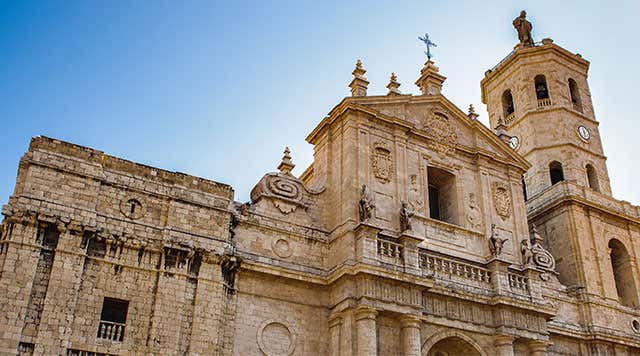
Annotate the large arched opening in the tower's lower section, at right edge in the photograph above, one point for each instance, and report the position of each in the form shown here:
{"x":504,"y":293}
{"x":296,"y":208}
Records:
{"x":623,"y":274}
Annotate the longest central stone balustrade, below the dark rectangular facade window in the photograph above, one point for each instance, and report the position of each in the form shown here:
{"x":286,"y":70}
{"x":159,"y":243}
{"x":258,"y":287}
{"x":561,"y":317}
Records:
{"x":449,"y":269}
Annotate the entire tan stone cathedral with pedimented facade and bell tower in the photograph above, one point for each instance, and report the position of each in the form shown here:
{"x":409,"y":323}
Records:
{"x":416,"y":230}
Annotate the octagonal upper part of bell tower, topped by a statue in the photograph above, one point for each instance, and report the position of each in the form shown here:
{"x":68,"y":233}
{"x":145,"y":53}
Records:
{"x":538,"y":99}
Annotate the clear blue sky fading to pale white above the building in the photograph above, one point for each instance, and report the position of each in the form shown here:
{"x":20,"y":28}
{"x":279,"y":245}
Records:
{"x":217,"y":89}
